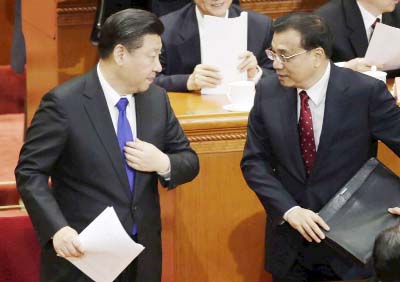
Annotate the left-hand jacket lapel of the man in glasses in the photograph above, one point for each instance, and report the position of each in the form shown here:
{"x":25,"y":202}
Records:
{"x":290,"y":131}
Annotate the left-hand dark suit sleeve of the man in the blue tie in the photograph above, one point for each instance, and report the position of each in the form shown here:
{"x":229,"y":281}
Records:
{"x":44,"y":144}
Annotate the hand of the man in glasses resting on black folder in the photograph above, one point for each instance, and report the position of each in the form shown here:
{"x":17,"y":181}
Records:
{"x":308,"y":223}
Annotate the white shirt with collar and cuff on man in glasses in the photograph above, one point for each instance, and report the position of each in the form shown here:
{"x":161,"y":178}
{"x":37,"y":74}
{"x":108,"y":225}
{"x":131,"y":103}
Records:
{"x":317,"y":94}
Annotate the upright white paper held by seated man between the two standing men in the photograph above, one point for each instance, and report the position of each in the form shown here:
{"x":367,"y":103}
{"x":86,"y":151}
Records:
{"x":225,"y":39}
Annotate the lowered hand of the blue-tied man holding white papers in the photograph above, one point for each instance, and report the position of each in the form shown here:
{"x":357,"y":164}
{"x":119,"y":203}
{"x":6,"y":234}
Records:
{"x":66,"y":243}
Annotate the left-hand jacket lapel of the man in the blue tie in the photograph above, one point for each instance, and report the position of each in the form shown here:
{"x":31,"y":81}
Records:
{"x":97,"y":110}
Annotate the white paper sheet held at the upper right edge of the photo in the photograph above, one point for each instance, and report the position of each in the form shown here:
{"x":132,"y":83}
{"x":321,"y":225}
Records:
{"x":384,"y":47}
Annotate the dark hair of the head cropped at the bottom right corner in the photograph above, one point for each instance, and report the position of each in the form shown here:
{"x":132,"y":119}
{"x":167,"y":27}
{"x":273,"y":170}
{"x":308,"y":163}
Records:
{"x":386,"y":255}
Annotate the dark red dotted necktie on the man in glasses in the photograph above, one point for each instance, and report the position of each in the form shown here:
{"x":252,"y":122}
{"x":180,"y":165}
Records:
{"x":306,"y":132}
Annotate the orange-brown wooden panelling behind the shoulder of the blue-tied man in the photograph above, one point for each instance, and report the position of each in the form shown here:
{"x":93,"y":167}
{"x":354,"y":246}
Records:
{"x":57,"y":43}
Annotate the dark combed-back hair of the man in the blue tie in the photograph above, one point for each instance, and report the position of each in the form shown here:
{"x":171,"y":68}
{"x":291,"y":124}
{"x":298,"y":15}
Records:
{"x":127,"y":27}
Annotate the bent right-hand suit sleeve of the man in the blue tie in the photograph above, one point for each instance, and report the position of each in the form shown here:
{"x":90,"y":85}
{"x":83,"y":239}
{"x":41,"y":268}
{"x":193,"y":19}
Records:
{"x":184,"y":161}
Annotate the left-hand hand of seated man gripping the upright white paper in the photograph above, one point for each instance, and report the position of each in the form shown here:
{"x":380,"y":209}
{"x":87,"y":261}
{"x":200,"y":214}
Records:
{"x":203,"y":76}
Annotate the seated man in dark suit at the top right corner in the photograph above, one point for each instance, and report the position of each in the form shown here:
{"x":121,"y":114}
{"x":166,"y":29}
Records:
{"x":352,"y":24}
